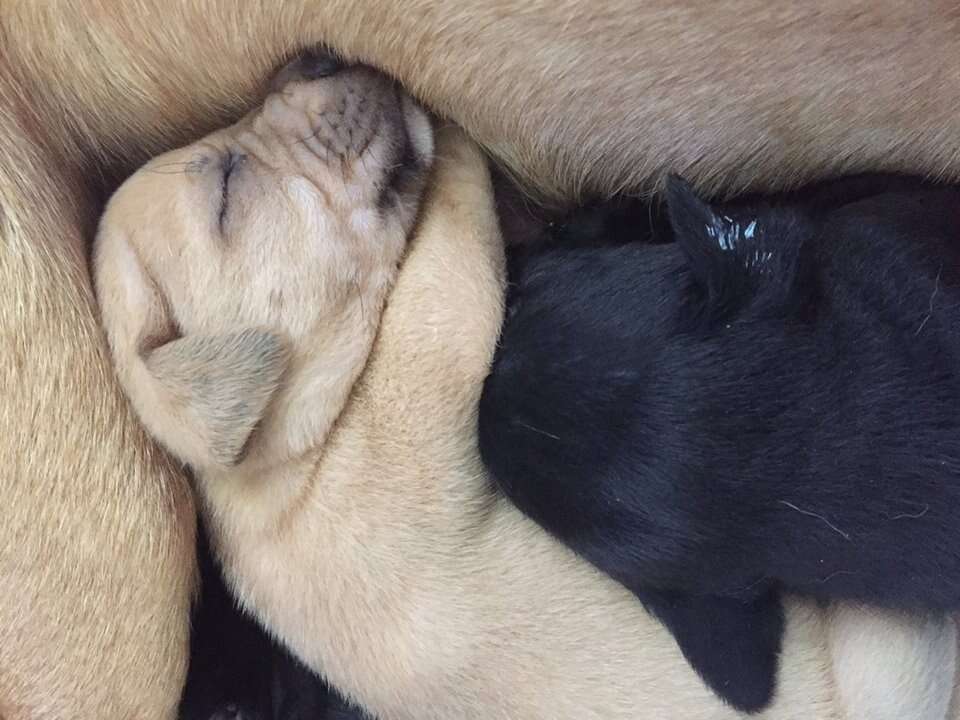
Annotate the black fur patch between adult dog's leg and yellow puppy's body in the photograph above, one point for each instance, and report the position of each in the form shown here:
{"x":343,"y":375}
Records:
{"x":238,"y":673}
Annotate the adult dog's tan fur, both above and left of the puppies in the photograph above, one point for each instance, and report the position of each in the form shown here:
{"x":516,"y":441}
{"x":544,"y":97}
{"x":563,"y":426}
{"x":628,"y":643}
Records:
{"x":95,"y":557}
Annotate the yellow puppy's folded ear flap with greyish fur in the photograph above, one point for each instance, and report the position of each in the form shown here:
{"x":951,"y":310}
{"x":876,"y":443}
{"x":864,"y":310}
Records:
{"x":208,"y":392}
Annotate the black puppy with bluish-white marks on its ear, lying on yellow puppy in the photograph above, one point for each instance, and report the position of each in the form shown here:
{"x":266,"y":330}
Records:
{"x":768,"y":400}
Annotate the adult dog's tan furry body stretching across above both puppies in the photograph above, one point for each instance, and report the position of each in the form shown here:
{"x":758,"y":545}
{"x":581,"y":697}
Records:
{"x":572,"y":94}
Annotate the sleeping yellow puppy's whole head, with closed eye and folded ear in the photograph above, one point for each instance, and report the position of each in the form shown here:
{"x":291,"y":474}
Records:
{"x":241,"y":279}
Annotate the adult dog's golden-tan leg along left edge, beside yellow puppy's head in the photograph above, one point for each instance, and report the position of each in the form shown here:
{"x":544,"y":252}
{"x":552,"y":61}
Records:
{"x":96,"y":534}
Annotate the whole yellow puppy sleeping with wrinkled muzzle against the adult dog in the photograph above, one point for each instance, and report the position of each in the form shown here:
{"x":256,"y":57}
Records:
{"x":242,"y":281}
